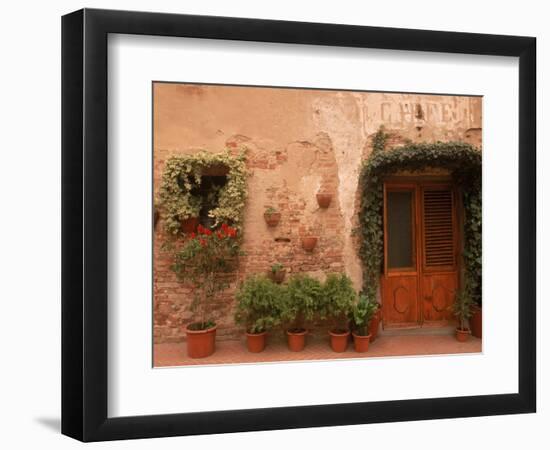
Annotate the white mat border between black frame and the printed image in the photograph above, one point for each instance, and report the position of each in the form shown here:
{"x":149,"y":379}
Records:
{"x":136,"y":389}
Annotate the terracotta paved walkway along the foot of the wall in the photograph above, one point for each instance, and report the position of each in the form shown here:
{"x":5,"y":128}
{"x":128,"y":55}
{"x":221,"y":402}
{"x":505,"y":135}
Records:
{"x":317,"y":348}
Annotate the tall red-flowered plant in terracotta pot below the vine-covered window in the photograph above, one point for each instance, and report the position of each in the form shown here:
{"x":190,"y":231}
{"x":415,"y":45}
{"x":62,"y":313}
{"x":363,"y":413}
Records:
{"x":200,"y":260}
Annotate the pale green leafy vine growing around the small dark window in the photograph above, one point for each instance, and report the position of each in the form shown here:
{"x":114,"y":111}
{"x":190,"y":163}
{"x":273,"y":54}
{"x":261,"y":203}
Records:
{"x":181,"y":179}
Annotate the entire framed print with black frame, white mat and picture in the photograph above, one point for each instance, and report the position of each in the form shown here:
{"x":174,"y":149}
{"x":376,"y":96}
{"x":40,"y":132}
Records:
{"x":273,"y":224}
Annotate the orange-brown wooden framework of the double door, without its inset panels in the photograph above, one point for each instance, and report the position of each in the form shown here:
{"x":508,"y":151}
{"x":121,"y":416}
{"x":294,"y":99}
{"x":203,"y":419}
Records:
{"x":417,"y":185}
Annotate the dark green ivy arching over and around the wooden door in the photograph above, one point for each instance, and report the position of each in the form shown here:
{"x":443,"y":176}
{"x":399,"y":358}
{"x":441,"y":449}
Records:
{"x":461,"y":159}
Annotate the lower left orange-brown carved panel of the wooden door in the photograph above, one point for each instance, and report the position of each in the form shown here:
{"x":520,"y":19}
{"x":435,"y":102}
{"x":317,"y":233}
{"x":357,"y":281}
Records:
{"x":400,"y":304}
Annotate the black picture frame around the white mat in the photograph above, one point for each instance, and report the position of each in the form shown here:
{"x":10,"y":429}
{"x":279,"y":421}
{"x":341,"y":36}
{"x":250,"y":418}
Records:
{"x":84,"y":224}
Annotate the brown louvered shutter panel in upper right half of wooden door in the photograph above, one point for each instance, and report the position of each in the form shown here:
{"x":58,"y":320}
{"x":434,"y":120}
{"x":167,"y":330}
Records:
{"x":438,"y":228}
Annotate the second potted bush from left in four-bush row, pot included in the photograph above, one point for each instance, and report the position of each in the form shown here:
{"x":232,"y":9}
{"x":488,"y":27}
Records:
{"x":299,"y":306}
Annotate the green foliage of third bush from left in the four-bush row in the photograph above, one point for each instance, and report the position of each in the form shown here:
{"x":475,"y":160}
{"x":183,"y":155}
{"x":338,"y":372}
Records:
{"x":337,"y":301}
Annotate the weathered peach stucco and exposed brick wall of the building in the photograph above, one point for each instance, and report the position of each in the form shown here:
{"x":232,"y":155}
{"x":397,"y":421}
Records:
{"x":299,"y":142}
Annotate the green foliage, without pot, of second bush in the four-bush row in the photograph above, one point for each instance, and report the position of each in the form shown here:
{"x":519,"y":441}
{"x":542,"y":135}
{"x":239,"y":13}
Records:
{"x":301,"y":302}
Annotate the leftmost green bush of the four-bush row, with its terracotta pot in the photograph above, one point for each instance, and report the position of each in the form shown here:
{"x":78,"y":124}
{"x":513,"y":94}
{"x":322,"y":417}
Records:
{"x":258,"y":309}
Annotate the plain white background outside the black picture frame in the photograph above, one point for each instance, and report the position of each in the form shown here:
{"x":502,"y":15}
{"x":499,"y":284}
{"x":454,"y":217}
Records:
{"x":30,"y":236}
